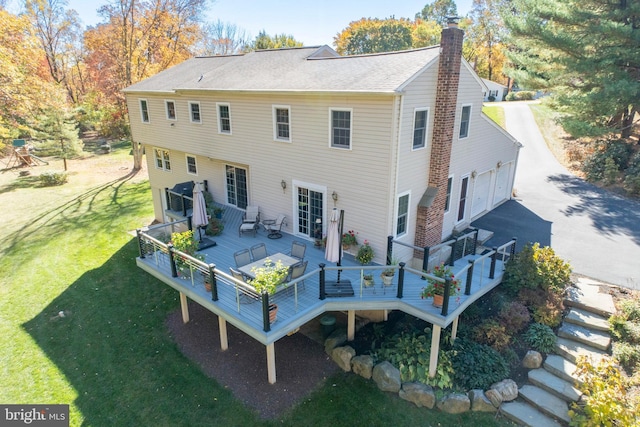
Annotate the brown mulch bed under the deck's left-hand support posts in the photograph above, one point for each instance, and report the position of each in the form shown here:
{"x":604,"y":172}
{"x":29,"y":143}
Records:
{"x":301,"y":363}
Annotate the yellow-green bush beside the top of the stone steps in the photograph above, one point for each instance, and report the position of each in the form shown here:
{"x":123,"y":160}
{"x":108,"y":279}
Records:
{"x":536,"y":267}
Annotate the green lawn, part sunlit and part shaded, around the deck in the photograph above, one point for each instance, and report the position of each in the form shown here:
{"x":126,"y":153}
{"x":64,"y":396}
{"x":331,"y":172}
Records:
{"x":110,"y":357}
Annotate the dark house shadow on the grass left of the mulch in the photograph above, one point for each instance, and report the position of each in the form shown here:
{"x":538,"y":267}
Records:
{"x":113,"y":348}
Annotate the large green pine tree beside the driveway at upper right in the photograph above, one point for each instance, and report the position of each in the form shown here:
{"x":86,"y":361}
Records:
{"x":584,"y":52}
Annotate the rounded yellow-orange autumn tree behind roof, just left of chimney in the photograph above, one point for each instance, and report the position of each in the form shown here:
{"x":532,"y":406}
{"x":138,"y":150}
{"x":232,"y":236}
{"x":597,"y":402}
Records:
{"x":374,"y":35}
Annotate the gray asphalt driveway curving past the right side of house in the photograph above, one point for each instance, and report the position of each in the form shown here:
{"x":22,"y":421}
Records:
{"x":596,"y":231}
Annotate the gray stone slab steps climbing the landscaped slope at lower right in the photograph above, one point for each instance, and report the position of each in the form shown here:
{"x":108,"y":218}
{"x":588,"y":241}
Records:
{"x":546,"y":399}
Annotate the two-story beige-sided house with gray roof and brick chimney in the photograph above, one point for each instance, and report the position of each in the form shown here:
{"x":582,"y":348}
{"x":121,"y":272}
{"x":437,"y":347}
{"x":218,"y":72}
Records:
{"x":397,"y":140}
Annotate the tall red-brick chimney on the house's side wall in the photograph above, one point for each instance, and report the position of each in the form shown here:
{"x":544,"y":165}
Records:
{"x":430,"y":216}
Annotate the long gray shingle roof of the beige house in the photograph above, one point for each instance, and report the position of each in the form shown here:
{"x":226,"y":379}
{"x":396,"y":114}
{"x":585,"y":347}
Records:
{"x":292,"y":70}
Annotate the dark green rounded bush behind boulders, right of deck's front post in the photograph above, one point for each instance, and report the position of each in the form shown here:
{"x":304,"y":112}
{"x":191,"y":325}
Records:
{"x":476,"y":365}
